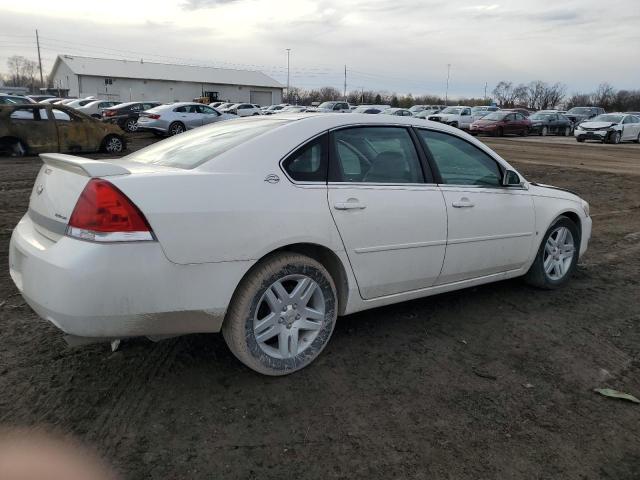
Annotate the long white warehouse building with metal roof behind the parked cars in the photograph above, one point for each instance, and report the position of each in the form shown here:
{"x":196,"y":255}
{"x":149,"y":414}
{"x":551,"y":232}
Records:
{"x":127,"y":80}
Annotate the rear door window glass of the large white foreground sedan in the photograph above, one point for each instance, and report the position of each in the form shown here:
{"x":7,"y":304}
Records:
{"x":374,"y":155}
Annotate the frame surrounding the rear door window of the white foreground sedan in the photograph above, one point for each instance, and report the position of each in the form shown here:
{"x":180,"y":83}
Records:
{"x":427,"y":175}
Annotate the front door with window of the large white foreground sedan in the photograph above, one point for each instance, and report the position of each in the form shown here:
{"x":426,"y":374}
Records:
{"x":490,"y":227}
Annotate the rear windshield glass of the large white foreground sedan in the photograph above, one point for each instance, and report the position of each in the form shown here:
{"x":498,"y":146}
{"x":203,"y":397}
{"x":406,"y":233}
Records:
{"x":188,"y":150}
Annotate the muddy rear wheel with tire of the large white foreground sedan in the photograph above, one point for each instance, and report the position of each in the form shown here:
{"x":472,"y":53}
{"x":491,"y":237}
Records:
{"x":282,"y":314}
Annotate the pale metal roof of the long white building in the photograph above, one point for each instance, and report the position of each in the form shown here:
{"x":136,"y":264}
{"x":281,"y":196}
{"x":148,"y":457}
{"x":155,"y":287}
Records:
{"x":109,"y":67}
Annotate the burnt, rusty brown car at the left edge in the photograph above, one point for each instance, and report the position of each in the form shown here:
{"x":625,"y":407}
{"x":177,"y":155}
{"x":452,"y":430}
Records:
{"x":35,"y":128}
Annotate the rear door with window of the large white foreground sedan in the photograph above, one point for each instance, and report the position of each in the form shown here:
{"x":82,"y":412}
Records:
{"x":390,"y":215}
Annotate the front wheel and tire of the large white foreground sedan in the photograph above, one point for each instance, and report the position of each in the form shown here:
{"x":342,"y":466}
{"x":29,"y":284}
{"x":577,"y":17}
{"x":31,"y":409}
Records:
{"x":557,"y":256}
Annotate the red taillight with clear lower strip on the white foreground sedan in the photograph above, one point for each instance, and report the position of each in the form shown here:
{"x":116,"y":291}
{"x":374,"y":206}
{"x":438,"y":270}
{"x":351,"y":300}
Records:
{"x":105,"y":214}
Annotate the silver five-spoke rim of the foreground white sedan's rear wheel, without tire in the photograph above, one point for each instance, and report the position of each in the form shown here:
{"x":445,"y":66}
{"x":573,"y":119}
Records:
{"x":289,"y":316}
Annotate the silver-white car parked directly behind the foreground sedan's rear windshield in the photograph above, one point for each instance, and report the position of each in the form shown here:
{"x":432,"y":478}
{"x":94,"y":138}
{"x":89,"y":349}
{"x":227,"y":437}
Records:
{"x":175,"y":118}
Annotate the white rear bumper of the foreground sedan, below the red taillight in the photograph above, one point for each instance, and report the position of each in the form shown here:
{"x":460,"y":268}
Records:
{"x":118,"y":290}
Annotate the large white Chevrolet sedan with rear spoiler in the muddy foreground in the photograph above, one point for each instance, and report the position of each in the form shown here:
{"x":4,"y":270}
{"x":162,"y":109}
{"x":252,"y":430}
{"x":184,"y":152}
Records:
{"x":269,"y":228}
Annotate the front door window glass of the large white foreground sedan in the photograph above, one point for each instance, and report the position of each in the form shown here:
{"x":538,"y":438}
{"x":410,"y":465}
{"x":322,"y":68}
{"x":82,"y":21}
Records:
{"x":459,"y":162}
